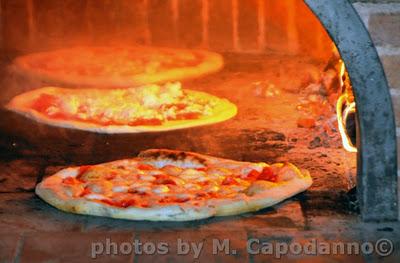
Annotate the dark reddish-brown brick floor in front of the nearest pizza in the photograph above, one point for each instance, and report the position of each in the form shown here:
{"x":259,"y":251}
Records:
{"x":32,"y":231}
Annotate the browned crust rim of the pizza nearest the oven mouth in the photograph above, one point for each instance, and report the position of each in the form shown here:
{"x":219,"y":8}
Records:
{"x":259,"y":195}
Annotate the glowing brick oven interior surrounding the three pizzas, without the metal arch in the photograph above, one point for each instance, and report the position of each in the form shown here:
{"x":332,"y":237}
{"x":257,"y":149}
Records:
{"x":282,"y":71}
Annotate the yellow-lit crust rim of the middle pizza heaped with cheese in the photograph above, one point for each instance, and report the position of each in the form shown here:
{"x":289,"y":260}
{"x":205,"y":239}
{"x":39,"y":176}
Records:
{"x":224,"y":110}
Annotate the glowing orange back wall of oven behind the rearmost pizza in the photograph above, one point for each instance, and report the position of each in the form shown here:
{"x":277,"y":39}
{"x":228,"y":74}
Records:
{"x":230,"y":25}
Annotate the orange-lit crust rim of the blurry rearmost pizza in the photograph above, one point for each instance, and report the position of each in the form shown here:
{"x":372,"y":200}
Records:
{"x":211,"y":62}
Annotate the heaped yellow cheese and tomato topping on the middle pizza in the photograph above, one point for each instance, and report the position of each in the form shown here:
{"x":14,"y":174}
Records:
{"x":147,"y":105}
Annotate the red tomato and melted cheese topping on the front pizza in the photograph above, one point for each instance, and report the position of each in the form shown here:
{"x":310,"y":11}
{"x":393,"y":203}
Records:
{"x":131,"y":183}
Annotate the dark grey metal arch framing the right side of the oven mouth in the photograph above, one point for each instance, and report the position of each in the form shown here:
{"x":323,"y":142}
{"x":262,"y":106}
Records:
{"x":376,"y":138}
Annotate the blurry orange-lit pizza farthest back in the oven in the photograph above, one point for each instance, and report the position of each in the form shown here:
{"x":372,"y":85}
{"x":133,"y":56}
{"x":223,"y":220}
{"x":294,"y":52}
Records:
{"x":123,"y":66}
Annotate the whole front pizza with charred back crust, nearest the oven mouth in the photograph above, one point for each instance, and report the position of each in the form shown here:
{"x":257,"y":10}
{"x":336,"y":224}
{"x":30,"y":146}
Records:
{"x":166,"y":185}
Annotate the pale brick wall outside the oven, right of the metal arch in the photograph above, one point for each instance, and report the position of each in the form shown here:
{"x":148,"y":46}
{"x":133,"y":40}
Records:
{"x":382,"y":18}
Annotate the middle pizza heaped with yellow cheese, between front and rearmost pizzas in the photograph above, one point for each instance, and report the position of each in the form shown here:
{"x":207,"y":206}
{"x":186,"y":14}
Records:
{"x":148,"y":108}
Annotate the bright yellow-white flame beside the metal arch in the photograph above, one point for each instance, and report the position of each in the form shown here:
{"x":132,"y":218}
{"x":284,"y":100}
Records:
{"x":346,"y":101}
